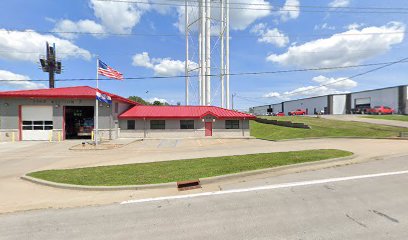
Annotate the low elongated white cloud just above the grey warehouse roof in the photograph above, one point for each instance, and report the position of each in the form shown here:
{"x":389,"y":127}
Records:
{"x":325,"y":86}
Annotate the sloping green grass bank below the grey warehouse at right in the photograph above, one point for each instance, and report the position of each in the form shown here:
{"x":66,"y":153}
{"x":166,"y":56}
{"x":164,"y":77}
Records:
{"x":322,"y":128}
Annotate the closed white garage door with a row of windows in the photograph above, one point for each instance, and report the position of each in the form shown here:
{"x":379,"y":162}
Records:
{"x":37,"y":123}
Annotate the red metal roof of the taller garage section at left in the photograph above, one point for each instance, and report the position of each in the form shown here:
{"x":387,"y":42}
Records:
{"x":66,"y":92}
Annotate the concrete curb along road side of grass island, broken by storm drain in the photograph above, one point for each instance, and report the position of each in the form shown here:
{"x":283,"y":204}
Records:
{"x":294,"y":167}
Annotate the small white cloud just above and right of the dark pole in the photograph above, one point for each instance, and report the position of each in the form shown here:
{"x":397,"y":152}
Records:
{"x":67,"y":28}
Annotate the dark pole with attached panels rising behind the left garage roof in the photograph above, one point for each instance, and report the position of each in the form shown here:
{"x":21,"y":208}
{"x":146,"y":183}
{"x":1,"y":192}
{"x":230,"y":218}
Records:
{"x":51,"y":65}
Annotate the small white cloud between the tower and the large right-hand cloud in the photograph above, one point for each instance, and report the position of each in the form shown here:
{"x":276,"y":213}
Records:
{"x":272,"y":36}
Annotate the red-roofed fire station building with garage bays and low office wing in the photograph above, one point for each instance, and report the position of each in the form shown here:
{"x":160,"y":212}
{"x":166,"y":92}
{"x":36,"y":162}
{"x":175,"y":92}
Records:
{"x":69,"y":113}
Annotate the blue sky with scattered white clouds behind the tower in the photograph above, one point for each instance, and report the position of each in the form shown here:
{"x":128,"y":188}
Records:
{"x":311,"y":34}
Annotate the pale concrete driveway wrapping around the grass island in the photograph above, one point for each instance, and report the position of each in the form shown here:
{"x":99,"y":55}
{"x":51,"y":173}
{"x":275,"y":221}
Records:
{"x":23,"y":157}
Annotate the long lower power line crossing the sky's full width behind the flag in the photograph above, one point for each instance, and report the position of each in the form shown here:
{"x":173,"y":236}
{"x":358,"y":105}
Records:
{"x":217,"y":75}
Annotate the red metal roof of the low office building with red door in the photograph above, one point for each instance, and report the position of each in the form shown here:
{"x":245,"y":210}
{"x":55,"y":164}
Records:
{"x":154,"y":112}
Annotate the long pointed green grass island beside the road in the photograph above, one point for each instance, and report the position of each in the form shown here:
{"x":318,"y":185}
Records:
{"x":178,"y":170}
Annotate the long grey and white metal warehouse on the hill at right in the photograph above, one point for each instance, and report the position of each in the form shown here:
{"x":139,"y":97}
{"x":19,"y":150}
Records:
{"x":394,"y":97}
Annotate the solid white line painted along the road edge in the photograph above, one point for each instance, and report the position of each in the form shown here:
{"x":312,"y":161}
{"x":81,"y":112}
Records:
{"x":267,"y":187}
